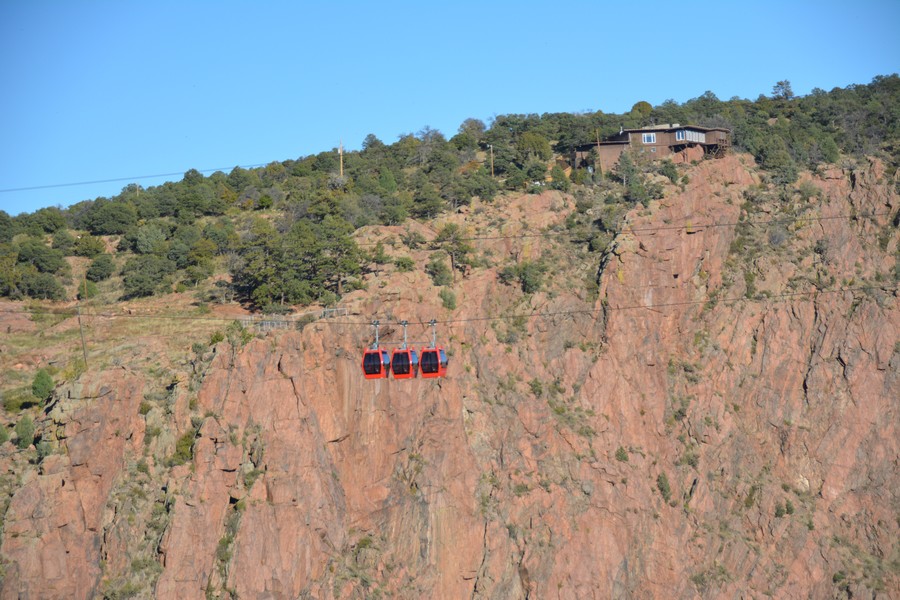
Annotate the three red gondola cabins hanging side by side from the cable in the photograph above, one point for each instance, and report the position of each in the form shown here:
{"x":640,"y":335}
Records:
{"x":404,"y":361}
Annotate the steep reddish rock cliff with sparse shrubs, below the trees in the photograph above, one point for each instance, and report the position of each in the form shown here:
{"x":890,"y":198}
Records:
{"x":693,"y":395}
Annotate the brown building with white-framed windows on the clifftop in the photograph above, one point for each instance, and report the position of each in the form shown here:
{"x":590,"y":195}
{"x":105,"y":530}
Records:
{"x":681,"y":143}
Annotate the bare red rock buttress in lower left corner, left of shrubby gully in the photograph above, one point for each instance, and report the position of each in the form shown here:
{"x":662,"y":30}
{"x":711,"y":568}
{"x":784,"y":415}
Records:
{"x":53,"y":529}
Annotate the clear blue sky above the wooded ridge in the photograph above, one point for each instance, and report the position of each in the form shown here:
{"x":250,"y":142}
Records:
{"x":96,"y":90}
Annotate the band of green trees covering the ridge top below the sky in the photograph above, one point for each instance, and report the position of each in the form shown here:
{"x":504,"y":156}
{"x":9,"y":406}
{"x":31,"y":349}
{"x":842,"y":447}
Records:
{"x":284,"y":231}
